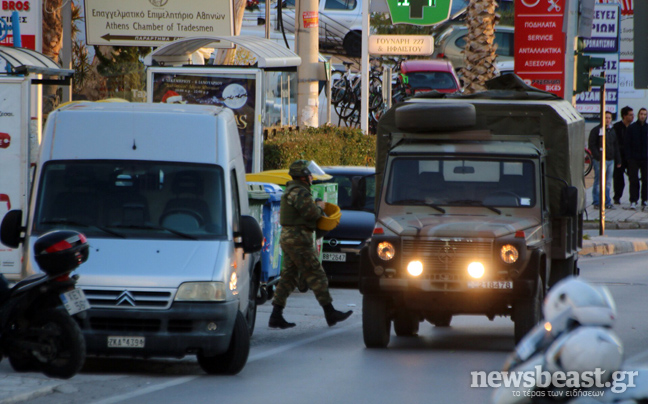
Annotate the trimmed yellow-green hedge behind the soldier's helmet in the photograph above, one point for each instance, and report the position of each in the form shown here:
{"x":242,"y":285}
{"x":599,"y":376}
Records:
{"x":326,"y":145}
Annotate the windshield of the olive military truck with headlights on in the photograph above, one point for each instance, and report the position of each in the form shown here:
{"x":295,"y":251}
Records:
{"x":442,"y":181}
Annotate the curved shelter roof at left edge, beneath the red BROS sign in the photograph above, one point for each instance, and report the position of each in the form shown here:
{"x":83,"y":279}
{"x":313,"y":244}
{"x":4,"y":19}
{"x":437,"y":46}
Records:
{"x":25,"y":61}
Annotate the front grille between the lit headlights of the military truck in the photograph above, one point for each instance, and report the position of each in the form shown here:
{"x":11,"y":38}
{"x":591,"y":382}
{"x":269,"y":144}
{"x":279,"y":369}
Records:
{"x":446,"y":256}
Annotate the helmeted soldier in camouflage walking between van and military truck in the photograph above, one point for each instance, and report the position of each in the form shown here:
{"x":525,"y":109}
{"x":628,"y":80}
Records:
{"x":298,"y":214}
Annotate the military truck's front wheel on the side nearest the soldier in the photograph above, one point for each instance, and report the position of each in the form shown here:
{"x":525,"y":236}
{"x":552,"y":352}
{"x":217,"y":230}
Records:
{"x":376,"y":325}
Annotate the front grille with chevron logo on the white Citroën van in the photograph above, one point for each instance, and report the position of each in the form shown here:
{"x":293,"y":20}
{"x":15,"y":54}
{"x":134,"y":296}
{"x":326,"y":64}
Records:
{"x":108,"y":298}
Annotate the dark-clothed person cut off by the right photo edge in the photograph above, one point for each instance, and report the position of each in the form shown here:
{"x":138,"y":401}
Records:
{"x":636,"y":150}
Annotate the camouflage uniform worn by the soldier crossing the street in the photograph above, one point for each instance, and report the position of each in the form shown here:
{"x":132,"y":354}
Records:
{"x":298,"y":218}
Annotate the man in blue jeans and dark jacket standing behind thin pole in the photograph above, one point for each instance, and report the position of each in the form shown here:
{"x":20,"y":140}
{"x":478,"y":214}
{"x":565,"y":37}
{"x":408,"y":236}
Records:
{"x":612,"y":160}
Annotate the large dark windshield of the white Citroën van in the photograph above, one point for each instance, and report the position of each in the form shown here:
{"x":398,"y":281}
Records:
{"x":132,"y":199}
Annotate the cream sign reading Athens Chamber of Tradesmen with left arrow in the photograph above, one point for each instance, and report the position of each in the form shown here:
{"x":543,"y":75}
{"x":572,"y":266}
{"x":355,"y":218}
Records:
{"x":155,"y":22}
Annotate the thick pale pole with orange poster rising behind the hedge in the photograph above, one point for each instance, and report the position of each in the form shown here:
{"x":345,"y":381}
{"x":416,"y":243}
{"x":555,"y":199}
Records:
{"x":307,"y":25}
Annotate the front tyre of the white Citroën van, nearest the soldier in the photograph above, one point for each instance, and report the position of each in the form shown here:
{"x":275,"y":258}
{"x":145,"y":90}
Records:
{"x":234,"y":359}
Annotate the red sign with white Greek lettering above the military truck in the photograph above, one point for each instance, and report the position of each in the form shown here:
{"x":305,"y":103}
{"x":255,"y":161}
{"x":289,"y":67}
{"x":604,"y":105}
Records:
{"x":540,"y":44}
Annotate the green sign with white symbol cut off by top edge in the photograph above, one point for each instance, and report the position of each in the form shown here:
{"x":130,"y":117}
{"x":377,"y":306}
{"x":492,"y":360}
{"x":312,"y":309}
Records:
{"x":419,"y":12}
